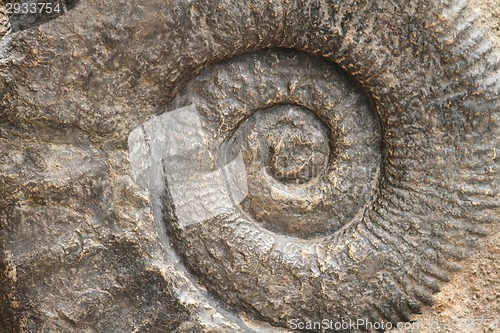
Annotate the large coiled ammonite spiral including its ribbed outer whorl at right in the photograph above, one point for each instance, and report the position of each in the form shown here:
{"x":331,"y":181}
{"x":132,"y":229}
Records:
{"x":349,"y":208}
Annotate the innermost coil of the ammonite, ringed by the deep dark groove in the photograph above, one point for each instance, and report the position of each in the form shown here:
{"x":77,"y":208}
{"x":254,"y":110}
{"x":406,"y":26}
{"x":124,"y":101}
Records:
{"x":296,"y":172}
